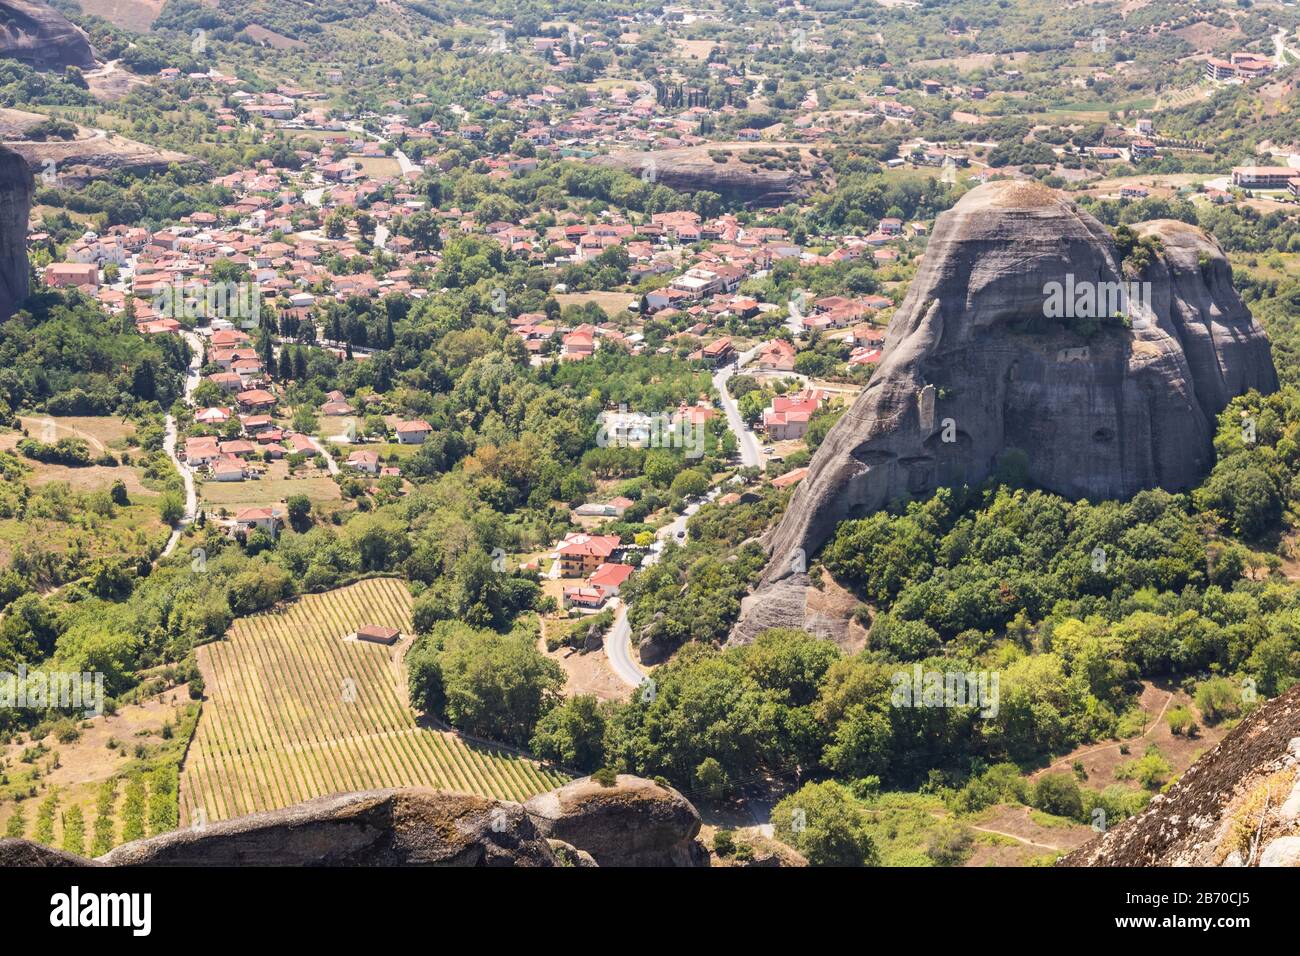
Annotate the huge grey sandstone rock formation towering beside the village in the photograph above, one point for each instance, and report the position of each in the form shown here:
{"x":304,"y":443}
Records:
{"x":973,"y":369}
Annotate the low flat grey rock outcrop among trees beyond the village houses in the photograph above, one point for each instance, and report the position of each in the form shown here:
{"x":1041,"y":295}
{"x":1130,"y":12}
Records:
{"x":690,"y":170}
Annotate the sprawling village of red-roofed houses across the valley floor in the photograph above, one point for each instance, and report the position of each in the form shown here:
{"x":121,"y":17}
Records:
{"x":350,"y":220}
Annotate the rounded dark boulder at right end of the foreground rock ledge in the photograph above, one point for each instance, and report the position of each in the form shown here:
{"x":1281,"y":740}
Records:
{"x":635,"y":823}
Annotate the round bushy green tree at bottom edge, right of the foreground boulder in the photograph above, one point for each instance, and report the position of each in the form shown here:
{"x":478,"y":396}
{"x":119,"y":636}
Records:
{"x":826,"y":824}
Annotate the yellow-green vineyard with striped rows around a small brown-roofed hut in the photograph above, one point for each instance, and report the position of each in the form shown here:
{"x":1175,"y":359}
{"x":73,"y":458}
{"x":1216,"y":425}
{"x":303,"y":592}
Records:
{"x":296,"y":712}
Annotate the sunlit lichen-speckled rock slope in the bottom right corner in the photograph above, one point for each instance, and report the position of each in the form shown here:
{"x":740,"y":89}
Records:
{"x":1238,"y":806}
